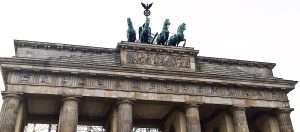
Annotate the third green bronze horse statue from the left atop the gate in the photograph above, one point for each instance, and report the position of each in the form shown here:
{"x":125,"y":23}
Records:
{"x":162,"y":38}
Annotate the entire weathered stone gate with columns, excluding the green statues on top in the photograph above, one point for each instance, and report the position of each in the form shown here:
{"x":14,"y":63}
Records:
{"x":140,"y":85}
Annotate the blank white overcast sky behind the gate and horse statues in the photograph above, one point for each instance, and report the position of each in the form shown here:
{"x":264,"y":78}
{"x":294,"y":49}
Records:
{"x":259,"y":30}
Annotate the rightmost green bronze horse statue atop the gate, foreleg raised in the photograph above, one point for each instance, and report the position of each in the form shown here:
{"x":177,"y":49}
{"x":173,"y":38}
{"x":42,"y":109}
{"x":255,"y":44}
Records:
{"x":178,"y":37}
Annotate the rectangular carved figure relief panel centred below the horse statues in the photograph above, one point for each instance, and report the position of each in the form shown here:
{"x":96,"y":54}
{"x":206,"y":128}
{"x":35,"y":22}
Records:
{"x":154,"y":59}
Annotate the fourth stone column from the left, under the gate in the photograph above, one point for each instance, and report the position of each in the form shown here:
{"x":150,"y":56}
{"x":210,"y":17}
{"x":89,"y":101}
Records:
{"x":192,"y":118}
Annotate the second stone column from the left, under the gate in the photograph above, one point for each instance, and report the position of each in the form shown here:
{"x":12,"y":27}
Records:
{"x":68,"y":118}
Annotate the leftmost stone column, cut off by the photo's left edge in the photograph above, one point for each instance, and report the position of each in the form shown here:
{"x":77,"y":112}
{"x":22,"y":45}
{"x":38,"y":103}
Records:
{"x":9,"y":112}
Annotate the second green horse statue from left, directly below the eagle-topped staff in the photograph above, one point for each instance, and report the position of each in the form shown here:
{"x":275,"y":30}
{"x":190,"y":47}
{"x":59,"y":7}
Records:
{"x":145,"y":32}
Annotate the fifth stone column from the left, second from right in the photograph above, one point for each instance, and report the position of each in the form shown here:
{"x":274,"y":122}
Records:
{"x":240,"y":119}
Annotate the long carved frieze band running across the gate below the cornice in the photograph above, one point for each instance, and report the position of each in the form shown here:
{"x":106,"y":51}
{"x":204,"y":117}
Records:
{"x":145,"y":86}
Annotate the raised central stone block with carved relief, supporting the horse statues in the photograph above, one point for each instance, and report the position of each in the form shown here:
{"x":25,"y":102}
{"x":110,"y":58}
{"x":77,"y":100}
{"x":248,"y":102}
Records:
{"x":157,"y":57}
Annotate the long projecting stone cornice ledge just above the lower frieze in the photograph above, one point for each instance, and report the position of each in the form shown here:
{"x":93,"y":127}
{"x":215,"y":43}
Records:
{"x":285,"y":85}
